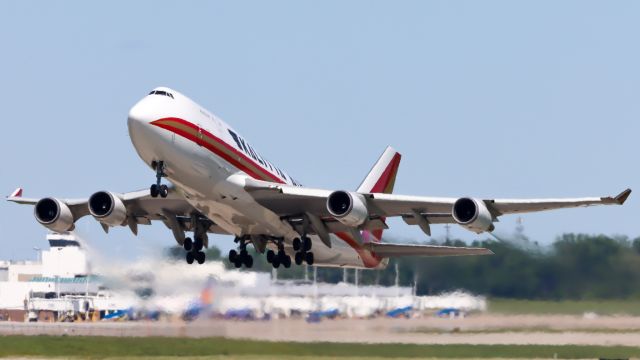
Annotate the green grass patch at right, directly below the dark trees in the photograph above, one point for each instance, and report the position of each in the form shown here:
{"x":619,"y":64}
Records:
{"x":569,"y":307}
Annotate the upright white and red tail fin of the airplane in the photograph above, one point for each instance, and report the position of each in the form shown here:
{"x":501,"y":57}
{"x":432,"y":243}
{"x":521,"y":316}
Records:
{"x":381,"y":179}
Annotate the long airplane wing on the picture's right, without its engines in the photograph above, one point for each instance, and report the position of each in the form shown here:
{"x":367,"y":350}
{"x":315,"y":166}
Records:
{"x":291,"y":201}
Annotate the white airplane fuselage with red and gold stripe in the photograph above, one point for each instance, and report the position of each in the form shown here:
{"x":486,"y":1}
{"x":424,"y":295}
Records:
{"x":209,"y":162}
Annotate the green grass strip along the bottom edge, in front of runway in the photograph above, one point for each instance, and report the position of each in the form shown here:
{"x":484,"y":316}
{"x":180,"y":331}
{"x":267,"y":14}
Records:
{"x":110,"y":347}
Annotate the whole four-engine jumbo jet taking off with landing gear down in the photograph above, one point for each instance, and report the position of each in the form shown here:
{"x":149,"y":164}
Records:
{"x":220,"y":184}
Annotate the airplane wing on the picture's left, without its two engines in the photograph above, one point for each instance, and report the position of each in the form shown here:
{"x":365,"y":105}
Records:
{"x":141,"y":209}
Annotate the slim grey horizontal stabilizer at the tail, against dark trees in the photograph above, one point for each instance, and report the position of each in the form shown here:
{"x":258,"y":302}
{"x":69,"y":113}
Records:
{"x":397,"y":250}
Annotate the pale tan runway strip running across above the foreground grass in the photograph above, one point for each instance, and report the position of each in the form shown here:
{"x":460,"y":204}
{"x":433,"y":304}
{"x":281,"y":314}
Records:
{"x":482,"y":329}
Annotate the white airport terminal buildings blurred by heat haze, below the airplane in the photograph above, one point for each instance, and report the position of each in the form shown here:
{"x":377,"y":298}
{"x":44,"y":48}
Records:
{"x":64,"y":285}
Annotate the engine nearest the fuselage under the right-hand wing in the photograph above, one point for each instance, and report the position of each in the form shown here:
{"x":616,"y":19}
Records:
{"x":348,"y":208}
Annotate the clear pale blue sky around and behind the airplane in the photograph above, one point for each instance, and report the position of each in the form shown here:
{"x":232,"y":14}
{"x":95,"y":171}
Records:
{"x":488,"y":99}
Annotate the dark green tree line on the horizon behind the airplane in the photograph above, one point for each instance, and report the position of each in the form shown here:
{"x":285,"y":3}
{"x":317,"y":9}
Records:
{"x":574,"y":266}
